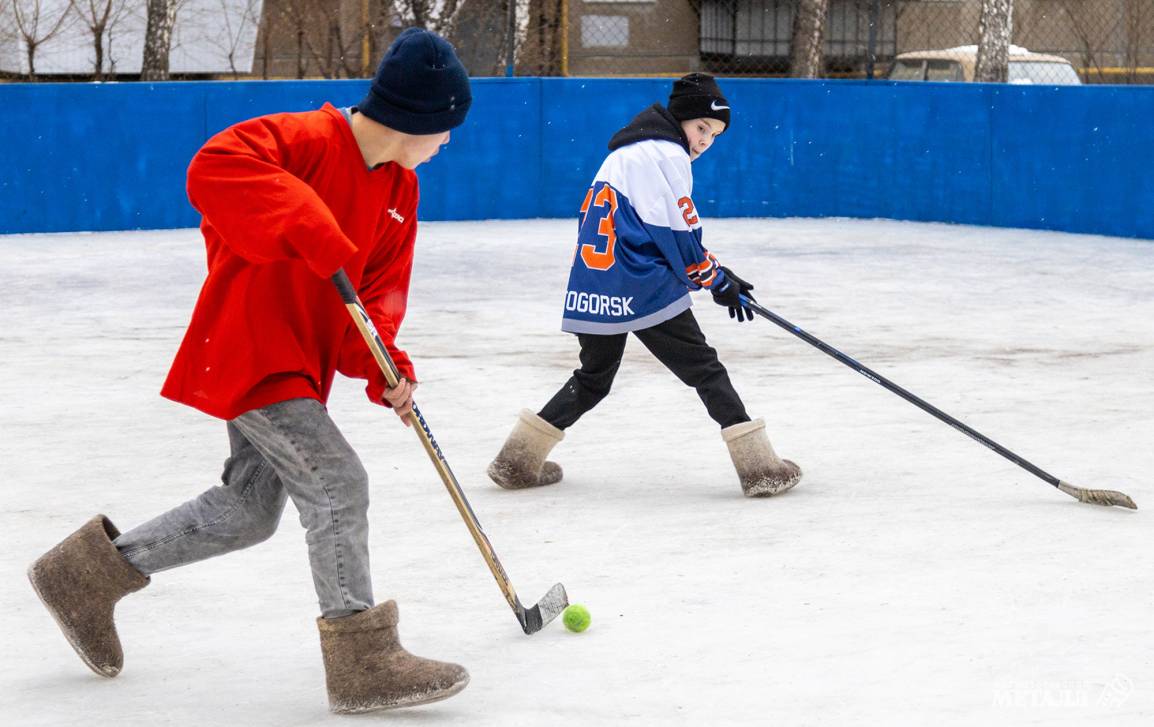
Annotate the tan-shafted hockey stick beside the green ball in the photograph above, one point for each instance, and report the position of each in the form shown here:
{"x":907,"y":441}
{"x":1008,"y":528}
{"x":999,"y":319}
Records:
{"x":533,"y":620}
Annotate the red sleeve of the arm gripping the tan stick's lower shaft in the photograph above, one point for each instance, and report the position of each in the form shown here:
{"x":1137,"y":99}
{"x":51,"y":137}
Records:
{"x":384,"y":290}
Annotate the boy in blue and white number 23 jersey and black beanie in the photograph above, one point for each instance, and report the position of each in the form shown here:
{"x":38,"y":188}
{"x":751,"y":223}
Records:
{"x":639,"y":257}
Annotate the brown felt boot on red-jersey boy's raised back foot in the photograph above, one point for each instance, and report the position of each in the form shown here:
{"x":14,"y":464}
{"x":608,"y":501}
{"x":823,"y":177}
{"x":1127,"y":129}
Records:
{"x":80,"y":582}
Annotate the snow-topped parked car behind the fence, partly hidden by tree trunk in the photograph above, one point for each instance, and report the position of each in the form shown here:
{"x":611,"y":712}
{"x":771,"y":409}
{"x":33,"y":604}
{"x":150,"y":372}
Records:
{"x":957,"y":65}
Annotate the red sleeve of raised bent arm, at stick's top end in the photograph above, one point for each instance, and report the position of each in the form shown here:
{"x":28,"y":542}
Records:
{"x":243,"y":183}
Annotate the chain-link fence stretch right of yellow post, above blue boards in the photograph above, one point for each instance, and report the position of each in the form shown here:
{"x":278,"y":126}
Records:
{"x":1053,"y":41}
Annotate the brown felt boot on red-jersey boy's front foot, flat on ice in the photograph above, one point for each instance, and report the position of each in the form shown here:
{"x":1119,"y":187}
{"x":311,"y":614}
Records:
{"x":368,"y":669}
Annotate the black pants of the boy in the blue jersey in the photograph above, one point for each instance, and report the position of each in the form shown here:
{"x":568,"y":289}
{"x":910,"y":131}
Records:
{"x":679,"y":343}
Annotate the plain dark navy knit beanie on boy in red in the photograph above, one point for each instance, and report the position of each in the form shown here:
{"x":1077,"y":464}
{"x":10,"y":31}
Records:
{"x":421,"y":87}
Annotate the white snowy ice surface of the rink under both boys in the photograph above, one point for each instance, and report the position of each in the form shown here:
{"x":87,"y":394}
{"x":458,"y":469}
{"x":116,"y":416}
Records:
{"x":913,"y":578}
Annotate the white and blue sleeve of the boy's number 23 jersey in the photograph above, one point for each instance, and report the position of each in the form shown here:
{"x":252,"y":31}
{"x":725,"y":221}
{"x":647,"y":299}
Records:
{"x":671,"y":220}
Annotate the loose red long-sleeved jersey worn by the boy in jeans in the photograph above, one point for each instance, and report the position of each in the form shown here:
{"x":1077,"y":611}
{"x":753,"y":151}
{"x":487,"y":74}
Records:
{"x":287,"y":201}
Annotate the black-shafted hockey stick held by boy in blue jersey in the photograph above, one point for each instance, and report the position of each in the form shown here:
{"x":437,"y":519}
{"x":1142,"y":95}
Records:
{"x":1093,"y":497}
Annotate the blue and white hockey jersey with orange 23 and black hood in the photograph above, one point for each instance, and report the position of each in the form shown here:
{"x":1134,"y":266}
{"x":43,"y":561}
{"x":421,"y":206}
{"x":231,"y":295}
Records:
{"x":640,"y":239}
